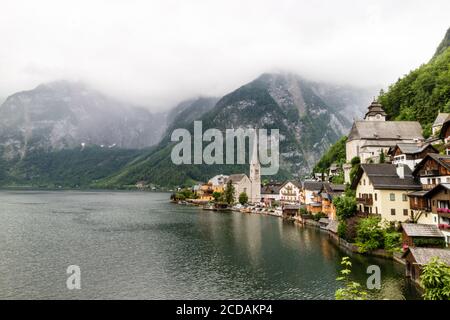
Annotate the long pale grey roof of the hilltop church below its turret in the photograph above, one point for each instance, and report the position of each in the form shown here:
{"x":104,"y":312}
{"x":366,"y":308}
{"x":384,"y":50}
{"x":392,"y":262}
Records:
{"x":388,"y":130}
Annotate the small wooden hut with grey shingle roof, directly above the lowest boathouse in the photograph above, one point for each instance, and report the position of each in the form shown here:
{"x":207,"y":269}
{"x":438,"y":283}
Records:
{"x":421,"y":235}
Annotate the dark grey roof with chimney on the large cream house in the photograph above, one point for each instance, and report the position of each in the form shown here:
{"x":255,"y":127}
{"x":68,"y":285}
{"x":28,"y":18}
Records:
{"x":384,"y":176}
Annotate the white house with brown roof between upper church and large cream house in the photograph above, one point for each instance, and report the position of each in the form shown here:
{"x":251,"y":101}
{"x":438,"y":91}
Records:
{"x":410,"y":154}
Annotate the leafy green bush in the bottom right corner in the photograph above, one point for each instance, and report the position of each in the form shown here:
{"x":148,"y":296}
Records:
{"x":435,"y":279}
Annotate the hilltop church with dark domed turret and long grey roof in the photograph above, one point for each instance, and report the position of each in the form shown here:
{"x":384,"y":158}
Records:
{"x":373,"y":135}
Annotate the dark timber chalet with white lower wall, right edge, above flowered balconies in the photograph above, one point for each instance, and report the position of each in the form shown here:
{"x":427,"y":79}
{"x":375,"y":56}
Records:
{"x":433,"y":170}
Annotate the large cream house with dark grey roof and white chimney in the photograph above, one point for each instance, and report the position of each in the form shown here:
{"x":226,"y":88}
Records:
{"x":383,"y":189}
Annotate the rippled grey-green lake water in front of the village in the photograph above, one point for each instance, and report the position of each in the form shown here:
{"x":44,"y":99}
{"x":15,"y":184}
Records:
{"x":139,"y":246}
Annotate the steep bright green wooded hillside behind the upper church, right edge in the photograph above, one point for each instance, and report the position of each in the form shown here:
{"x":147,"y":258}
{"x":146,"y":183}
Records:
{"x":424,"y":92}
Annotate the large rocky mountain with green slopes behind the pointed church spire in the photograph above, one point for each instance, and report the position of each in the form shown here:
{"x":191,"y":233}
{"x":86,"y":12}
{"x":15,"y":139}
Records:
{"x":306,"y":113}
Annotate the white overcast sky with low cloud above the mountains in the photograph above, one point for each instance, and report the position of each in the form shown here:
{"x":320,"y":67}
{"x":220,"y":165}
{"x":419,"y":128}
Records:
{"x":159,"y":52}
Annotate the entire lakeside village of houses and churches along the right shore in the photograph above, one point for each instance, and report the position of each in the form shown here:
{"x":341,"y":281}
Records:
{"x":395,"y":181}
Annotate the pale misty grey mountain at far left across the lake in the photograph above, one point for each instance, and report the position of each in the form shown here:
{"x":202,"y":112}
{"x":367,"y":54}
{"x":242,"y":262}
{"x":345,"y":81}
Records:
{"x":63,"y":114}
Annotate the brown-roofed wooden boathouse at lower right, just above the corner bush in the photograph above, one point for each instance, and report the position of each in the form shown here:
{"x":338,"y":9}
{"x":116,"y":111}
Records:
{"x":415,"y":258}
